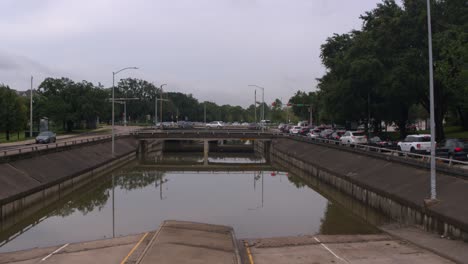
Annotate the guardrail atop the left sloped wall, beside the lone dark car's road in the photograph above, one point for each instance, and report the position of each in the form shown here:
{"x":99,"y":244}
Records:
{"x":36,"y":147}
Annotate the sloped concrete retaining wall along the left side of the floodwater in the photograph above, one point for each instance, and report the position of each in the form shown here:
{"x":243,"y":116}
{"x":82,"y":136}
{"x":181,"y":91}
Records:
{"x":39,"y":181}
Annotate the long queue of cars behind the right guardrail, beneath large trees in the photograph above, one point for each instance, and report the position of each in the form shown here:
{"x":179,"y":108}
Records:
{"x":453,"y":148}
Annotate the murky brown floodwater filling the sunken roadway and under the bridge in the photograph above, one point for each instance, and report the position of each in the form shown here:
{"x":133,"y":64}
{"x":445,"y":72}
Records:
{"x":135,"y":199}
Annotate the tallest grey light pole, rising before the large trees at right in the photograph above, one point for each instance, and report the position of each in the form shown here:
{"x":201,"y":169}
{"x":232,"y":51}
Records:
{"x":431,"y":92}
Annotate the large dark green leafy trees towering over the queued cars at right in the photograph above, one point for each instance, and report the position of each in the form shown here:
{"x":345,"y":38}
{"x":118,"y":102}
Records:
{"x":380,"y":72}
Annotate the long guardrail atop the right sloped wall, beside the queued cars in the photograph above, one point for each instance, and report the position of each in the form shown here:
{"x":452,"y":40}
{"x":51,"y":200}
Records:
{"x":392,"y":152}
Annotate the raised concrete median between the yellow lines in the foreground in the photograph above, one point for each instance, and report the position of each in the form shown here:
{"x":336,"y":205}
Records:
{"x":188,"y":242}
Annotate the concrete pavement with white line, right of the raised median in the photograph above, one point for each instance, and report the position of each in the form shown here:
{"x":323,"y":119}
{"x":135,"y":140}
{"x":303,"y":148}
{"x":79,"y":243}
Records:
{"x":320,"y":249}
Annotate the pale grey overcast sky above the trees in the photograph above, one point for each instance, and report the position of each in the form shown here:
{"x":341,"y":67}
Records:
{"x":212,"y":49}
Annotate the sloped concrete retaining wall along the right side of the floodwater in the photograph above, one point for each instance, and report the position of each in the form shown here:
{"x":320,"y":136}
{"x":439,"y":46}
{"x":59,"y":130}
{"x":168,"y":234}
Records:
{"x":395,"y":189}
